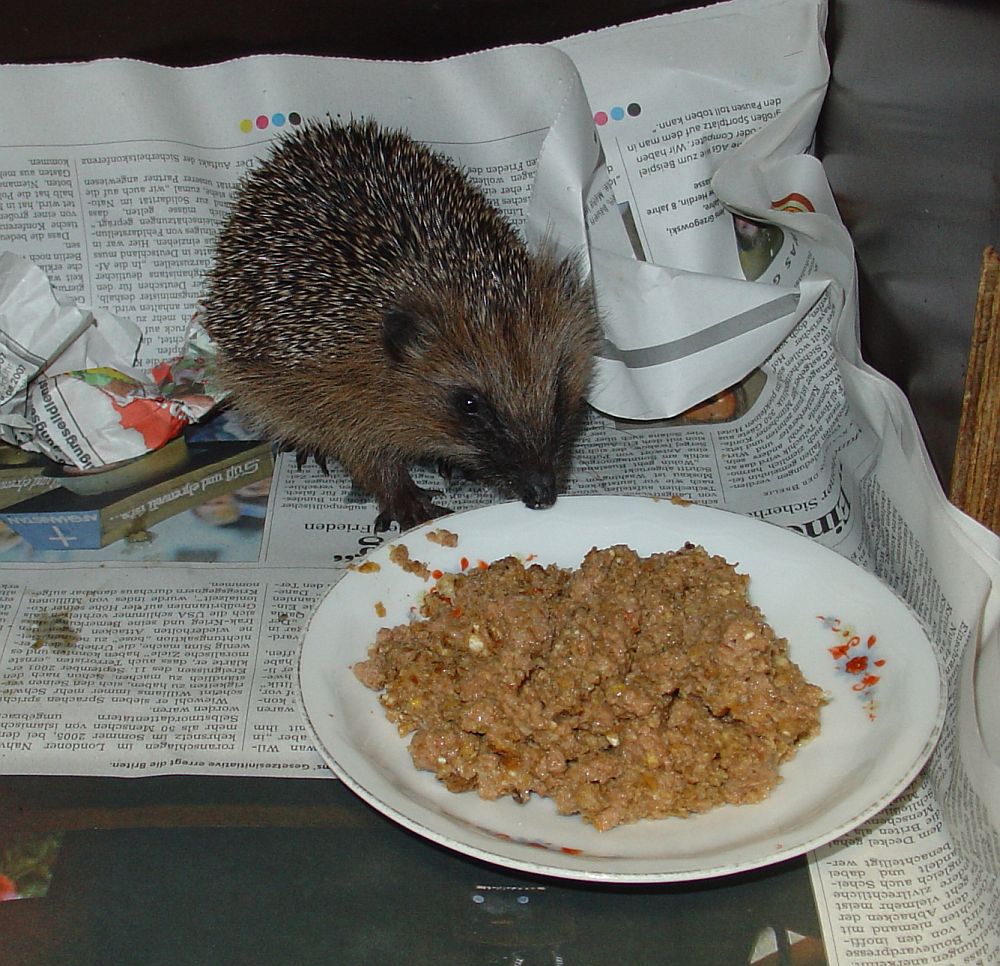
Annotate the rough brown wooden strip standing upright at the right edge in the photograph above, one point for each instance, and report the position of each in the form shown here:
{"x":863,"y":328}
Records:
{"x":975,"y":477}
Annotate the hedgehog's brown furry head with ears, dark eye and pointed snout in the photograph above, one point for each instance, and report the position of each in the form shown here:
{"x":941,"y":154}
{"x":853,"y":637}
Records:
{"x":493,"y":388}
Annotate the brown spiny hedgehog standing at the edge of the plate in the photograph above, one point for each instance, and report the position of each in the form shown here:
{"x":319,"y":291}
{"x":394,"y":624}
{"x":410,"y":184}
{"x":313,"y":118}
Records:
{"x":370,"y":305}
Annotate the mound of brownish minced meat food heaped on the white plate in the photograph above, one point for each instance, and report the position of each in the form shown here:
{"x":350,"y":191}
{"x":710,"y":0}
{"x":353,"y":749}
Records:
{"x":633,"y":687}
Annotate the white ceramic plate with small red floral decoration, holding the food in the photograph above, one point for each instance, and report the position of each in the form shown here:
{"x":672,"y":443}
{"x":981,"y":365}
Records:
{"x":875,"y":735}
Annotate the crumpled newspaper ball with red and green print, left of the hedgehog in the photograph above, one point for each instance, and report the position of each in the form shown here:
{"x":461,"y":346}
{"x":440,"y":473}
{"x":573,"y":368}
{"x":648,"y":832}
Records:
{"x":69,"y":388}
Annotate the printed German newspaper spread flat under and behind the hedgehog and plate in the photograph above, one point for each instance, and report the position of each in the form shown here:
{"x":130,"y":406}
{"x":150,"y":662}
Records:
{"x":170,"y":646}
